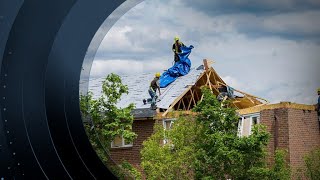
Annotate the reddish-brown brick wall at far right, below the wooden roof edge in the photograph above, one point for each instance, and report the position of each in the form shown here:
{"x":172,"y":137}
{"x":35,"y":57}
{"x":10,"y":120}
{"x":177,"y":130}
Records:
{"x":292,"y":129}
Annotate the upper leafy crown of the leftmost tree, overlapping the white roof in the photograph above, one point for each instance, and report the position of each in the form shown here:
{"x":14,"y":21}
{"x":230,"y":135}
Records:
{"x":109,"y":121}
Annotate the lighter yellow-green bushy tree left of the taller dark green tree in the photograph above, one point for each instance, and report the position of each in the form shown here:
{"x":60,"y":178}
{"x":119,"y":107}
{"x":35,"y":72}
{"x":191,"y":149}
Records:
{"x":173,"y":160}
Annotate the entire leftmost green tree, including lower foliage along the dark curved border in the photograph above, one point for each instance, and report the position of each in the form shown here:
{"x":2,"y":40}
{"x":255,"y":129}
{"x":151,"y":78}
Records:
{"x":109,"y":121}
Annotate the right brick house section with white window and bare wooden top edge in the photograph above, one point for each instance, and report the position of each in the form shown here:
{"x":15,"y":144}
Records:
{"x":294,"y":127}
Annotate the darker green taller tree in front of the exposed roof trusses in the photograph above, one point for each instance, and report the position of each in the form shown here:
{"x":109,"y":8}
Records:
{"x":221,"y":152}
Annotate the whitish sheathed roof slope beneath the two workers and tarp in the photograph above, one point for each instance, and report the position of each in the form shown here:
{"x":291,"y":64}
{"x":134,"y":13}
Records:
{"x":138,"y":86}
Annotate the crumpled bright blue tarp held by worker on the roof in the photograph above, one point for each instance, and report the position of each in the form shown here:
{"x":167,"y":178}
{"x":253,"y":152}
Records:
{"x":180,"y":68}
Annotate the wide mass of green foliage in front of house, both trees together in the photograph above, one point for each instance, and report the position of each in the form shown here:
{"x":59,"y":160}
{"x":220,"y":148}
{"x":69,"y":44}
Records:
{"x":208,"y":147}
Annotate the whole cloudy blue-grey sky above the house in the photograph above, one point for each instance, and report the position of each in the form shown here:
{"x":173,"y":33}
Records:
{"x":268,"y":48}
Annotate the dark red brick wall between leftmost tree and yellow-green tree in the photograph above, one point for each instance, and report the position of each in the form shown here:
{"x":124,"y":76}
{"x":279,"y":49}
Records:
{"x":144,"y":129}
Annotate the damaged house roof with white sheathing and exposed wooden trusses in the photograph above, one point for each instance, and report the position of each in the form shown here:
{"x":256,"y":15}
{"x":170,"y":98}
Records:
{"x":183,"y":94}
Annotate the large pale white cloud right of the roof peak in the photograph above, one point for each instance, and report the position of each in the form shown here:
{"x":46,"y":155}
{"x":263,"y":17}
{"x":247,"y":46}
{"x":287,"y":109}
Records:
{"x":272,"y":68}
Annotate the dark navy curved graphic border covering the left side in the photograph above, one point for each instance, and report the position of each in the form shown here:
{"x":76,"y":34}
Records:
{"x":42,"y":48}
